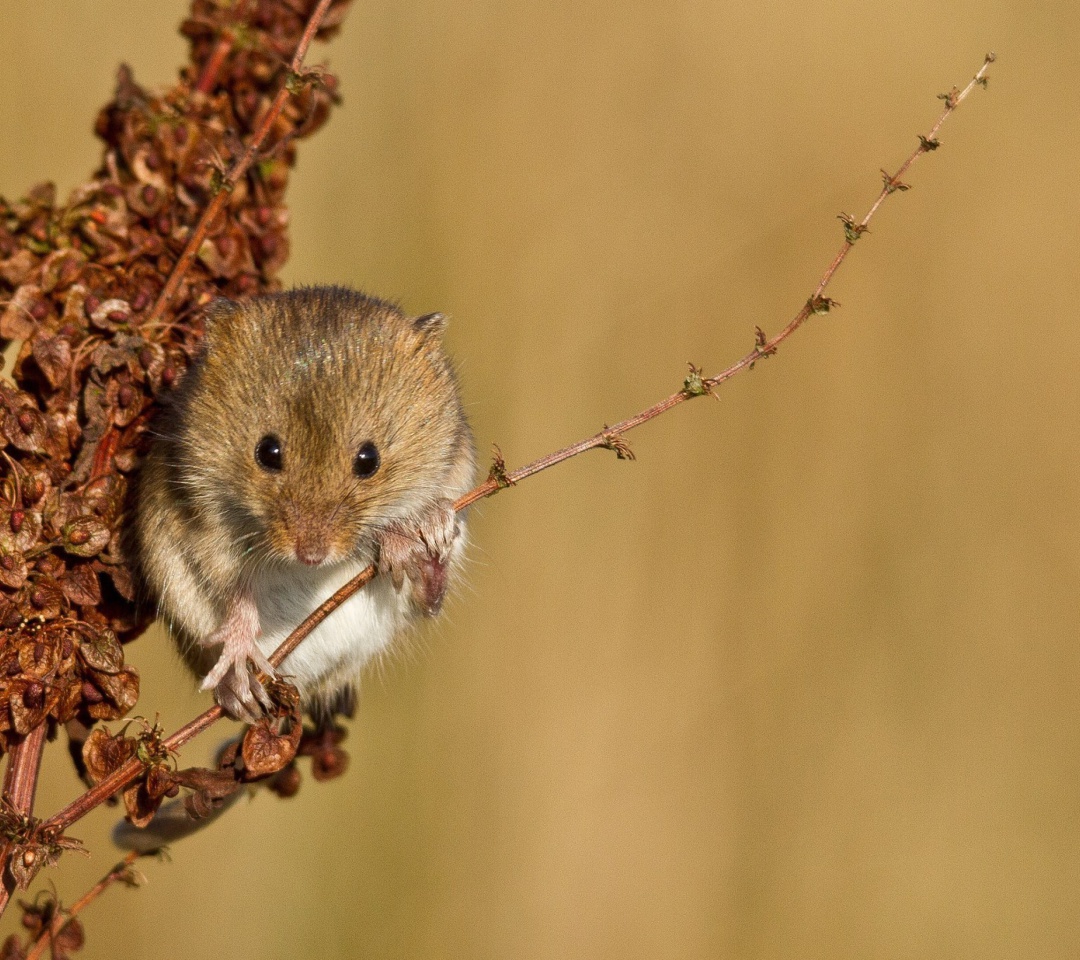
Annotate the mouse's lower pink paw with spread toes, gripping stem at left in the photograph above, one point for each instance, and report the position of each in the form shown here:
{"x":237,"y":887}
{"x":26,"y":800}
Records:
{"x":235,"y":678}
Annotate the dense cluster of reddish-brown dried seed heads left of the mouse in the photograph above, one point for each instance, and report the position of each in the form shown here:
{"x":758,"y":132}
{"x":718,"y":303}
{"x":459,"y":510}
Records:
{"x":78,"y":285}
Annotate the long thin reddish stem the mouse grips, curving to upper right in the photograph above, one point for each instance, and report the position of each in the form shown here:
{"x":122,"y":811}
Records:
{"x":609,"y":439}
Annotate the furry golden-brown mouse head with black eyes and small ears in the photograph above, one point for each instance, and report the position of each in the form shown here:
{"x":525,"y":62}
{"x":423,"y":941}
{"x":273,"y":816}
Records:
{"x":312,"y":421}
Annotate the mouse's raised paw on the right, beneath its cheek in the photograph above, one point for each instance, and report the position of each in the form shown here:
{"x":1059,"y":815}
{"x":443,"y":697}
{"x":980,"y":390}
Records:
{"x":420,"y":550}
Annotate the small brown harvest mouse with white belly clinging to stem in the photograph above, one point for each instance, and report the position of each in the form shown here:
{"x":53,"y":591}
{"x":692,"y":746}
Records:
{"x":319,"y":431}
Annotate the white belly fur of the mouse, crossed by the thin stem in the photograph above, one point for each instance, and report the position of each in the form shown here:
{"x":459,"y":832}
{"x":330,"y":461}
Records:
{"x":361,"y":628}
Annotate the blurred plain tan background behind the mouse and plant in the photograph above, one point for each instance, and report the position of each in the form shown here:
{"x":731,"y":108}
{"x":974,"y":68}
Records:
{"x":803,"y":681}
